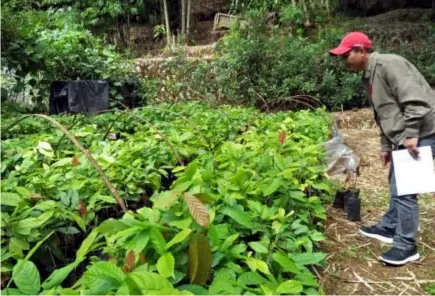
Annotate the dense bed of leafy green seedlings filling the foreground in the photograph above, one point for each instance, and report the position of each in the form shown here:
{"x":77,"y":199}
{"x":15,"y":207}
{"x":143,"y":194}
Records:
{"x":243,"y":214}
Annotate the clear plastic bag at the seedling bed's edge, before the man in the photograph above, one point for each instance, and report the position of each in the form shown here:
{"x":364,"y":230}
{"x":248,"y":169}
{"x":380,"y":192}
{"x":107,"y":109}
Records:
{"x":343,"y":162}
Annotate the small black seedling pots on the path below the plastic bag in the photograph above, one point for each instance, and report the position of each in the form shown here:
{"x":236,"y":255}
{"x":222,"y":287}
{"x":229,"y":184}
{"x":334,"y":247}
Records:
{"x":349,"y":201}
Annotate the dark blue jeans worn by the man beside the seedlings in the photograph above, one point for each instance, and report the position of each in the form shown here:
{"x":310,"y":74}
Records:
{"x":403,"y":216}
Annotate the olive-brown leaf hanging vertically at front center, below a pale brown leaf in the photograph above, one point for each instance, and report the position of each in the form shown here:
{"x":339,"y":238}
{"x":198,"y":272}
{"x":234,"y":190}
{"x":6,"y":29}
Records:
{"x":200,"y":259}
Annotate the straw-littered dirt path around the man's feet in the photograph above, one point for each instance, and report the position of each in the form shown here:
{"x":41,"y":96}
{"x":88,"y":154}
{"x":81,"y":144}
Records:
{"x":353,"y":267}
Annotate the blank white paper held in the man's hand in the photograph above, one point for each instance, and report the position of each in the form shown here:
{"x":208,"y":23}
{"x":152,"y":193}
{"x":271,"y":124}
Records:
{"x":414,"y":176}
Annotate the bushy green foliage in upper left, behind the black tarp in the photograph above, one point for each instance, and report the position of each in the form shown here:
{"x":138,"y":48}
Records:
{"x":39,"y":47}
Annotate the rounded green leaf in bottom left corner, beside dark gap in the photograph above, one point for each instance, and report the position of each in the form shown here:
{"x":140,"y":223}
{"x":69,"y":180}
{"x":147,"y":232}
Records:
{"x":26,"y":277}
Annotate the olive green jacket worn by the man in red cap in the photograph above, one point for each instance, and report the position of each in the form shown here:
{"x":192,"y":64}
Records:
{"x":402,"y":99}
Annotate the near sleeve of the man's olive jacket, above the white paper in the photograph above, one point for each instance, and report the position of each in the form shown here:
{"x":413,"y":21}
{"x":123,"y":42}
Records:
{"x":409,"y":92}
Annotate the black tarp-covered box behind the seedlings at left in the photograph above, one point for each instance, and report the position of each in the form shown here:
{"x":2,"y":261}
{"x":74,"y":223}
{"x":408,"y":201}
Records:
{"x":81,"y":96}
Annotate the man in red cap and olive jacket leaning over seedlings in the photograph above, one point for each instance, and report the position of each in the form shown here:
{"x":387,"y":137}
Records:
{"x":404,"y":108}
